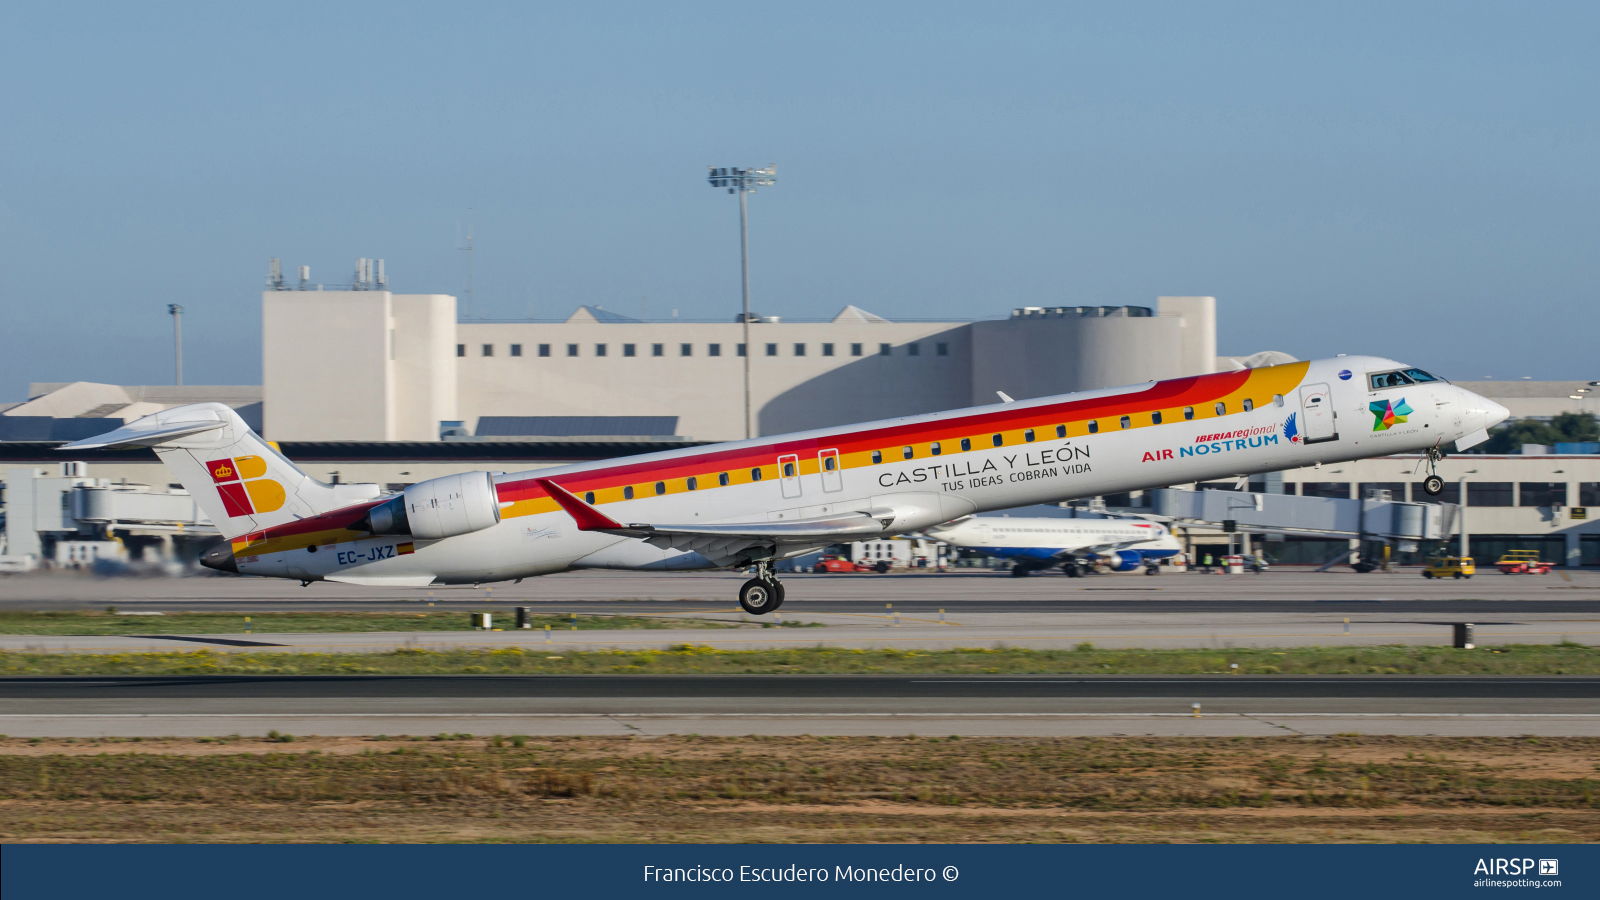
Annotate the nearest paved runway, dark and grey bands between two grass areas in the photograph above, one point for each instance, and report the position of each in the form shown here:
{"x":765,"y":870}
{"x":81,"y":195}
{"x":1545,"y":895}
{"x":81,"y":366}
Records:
{"x":791,"y":705}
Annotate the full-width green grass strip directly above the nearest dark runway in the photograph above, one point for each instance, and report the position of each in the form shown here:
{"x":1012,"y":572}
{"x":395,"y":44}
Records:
{"x":690,"y":659}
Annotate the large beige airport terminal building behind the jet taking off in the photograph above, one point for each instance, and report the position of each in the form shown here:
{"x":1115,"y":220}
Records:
{"x":367,"y":385}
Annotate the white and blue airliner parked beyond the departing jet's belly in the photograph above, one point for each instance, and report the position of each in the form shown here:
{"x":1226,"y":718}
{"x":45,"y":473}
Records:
{"x":1076,"y":545}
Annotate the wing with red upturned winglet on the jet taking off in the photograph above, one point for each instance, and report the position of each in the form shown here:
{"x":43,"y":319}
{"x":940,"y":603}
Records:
{"x":727,"y":539}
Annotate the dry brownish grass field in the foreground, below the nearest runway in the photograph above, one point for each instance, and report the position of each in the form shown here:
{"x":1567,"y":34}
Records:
{"x":802,"y":790}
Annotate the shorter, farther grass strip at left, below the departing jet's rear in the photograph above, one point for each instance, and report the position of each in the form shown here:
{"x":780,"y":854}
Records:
{"x":308,"y":622}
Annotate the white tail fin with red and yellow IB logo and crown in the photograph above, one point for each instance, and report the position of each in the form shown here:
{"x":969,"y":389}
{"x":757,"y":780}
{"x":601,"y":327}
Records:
{"x":241,"y":481}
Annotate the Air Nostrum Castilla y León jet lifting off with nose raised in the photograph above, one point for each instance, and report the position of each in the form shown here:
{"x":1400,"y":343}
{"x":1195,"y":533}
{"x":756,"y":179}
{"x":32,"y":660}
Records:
{"x":753,"y":502}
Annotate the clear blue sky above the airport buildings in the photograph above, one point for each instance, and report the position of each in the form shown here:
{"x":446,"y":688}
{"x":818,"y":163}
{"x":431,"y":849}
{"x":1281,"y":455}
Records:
{"x":1417,"y":180}
